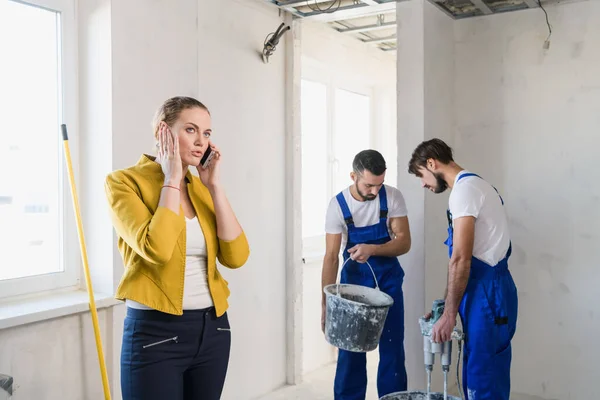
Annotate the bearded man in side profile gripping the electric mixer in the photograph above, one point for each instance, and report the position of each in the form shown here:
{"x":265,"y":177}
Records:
{"x":480,"y":286}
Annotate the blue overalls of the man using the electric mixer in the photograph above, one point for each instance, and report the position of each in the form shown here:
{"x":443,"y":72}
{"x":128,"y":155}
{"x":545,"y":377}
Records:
{"x":488,"y":312}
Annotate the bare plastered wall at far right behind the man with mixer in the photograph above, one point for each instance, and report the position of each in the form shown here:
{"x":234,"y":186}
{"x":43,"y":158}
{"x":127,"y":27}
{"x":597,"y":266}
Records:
{"x":528,"y":120}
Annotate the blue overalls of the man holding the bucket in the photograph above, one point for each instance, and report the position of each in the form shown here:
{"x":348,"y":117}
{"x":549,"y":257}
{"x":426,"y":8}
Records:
{"x":351,"y":374}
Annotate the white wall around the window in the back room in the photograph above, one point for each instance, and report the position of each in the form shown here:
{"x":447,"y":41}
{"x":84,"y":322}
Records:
{"x":329,"y":55}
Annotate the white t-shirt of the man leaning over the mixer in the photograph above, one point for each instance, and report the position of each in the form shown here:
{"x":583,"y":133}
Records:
{"x":473,"y":196}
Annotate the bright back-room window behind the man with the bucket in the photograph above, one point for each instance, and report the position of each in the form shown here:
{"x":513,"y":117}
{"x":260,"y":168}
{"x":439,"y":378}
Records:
{"x":336,"y":124}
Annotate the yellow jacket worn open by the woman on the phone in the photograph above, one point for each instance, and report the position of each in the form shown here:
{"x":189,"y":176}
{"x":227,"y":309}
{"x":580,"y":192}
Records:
{"x":151,"y":239}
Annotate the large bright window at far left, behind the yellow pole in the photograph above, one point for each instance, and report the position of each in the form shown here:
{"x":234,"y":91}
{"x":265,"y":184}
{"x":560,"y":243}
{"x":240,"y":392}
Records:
{"x":37,"y":230}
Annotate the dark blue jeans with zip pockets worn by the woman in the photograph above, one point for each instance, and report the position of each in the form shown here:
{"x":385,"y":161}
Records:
{"x":166,"y":356}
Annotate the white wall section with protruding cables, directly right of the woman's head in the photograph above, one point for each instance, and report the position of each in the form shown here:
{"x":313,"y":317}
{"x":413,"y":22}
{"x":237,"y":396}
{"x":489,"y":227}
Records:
{"x":247,"y":102}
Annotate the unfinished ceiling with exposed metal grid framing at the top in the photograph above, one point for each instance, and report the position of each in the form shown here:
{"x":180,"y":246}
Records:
{"x":374,"y":21}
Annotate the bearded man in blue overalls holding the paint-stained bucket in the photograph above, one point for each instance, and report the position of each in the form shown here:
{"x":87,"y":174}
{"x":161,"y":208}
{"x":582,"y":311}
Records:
{"x":372,"y":219}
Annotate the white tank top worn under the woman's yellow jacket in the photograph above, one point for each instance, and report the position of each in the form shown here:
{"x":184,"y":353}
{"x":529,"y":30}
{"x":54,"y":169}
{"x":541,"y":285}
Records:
{"x":196,"y":294}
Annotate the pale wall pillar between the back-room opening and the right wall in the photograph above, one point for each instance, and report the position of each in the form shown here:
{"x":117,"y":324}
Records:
{"x":425,"y":98}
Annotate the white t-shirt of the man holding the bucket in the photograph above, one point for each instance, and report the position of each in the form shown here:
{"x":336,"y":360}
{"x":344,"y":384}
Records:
{"x":364,"y":213}
